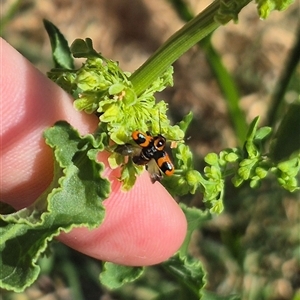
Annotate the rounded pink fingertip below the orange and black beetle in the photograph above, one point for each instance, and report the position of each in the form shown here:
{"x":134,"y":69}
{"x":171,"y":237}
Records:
{"x":144,"y":226}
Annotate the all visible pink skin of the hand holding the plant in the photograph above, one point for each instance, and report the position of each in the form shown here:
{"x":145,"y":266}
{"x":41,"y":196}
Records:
{"x":142,"y":227}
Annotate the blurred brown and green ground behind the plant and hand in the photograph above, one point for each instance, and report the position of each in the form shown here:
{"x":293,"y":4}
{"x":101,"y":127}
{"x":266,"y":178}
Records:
{"x":253,"y":248}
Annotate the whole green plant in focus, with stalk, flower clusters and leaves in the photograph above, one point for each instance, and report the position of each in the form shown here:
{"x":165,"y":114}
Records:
{"x":101,"y":87}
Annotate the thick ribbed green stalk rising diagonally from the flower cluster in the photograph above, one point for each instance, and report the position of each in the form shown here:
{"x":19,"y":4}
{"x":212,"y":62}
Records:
{"x":183,"y":40}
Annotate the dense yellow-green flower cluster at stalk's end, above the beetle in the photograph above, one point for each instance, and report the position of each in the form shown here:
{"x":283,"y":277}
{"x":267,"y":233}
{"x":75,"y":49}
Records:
{"x":100,"y":86}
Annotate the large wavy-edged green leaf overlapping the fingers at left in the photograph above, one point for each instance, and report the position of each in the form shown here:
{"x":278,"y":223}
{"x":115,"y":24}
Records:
{"x":73,"y":199}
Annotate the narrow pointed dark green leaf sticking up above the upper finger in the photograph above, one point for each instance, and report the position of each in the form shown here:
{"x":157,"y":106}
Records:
{"x":60,"y":49}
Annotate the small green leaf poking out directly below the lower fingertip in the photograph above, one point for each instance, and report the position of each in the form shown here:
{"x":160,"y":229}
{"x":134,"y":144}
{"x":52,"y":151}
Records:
{"x":114,"y":276}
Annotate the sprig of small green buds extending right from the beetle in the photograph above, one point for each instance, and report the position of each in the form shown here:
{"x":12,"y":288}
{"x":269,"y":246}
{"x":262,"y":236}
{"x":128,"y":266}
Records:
{"x":249,"y":163}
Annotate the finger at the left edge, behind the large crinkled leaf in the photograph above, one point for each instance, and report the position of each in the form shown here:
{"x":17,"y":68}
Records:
{"x":30,"y":103}
